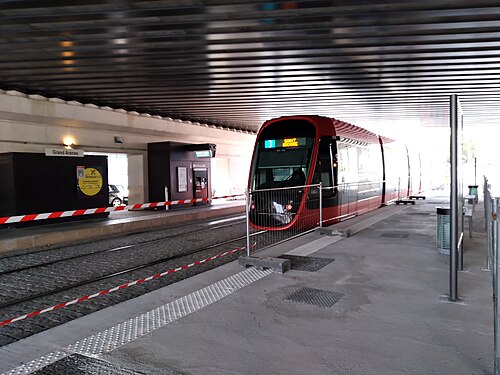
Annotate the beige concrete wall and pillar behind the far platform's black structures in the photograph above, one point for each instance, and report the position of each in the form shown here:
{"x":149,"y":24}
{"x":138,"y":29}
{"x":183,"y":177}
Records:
{"x":33,"y":123}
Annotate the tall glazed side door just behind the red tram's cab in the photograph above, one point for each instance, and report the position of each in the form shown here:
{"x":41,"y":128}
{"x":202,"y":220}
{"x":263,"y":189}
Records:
{"x":347,"y":180}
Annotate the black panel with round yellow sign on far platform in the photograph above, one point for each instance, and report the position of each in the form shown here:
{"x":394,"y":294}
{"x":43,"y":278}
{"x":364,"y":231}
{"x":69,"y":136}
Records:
{"x":38,"y":183}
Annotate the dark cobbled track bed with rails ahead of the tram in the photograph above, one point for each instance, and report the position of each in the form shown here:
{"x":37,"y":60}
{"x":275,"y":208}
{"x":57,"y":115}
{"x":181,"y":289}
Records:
{"x":46,"y":283}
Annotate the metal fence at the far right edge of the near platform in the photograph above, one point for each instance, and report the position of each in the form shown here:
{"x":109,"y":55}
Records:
{"x":491,"y":213}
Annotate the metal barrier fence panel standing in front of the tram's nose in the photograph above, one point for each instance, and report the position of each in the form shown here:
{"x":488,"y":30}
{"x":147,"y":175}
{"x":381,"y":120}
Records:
{"x":278,"y":215}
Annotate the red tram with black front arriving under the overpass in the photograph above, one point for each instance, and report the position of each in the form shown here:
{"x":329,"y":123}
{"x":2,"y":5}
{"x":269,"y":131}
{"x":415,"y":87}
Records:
{"x":359,"y":172}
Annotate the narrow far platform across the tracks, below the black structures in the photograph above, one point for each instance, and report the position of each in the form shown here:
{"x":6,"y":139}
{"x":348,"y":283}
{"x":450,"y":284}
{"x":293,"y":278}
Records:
{"x":119,"y":222}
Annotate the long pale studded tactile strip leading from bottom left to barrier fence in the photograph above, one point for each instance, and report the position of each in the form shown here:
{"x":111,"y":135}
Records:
{"x":123,"y":333}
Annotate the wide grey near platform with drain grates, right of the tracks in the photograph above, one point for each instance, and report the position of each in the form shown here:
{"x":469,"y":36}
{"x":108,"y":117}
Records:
{"x":377,"y":305}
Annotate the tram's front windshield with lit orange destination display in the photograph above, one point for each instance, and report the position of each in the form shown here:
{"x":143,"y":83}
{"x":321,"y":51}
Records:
{"x":282,"y":162}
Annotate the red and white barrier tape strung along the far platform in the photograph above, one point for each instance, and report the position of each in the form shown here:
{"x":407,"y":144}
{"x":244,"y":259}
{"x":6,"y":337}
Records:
{"x":91,"y":211}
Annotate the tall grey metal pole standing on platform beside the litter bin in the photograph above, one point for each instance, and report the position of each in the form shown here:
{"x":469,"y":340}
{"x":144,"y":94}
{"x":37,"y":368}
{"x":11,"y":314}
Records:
{"x":453,"y":198}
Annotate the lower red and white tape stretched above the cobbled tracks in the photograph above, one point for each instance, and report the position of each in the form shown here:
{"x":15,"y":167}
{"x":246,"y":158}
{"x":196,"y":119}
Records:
{"x":85,"y":298}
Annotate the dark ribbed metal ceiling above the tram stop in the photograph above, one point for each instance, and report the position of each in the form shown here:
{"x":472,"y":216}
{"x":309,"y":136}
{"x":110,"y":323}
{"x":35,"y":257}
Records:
{"x":237,"y":63}
